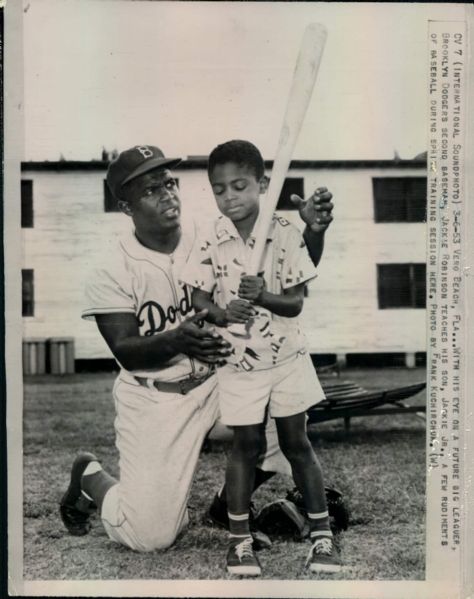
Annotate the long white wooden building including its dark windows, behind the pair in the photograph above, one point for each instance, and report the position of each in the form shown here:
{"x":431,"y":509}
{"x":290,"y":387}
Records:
{"x":369,"y":297}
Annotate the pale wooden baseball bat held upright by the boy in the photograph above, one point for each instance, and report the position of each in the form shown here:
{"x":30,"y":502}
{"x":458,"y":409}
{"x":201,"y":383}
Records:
{"x":304,"y":78}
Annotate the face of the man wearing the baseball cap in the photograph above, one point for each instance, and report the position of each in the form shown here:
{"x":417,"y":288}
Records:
{"x":153,"y":201}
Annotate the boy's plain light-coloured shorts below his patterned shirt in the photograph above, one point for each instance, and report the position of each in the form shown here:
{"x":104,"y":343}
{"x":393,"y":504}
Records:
{"x":287,"y":389}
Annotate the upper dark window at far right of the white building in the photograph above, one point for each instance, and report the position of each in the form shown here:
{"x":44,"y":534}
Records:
{"x":399,"y":199}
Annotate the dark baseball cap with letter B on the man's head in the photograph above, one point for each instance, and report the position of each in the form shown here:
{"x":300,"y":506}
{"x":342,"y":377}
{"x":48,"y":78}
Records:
{"x":134,"y":162}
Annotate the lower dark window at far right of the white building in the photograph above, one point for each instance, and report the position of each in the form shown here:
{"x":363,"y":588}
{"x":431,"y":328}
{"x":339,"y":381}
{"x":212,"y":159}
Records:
{"x":401,"y":285}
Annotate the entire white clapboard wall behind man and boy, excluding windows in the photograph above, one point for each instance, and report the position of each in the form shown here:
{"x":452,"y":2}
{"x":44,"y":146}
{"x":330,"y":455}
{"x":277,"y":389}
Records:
{"x":341,"y":315}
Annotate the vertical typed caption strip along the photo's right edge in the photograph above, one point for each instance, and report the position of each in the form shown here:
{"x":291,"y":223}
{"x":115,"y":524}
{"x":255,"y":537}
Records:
{"x":447,"y":82}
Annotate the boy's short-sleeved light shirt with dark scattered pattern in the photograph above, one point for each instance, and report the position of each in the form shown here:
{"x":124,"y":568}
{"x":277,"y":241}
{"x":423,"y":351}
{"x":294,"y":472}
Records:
{"x":216,"y":264}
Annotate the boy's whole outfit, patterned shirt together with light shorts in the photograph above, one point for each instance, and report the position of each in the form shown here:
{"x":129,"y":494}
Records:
{"x":272,"y":367}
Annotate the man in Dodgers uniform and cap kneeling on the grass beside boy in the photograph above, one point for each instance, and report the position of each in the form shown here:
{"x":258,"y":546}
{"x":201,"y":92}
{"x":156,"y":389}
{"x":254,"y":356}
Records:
{"x":166,"y":392}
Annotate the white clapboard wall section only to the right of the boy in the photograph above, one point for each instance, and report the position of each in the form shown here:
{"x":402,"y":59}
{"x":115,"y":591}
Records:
{"x":341,"y":313}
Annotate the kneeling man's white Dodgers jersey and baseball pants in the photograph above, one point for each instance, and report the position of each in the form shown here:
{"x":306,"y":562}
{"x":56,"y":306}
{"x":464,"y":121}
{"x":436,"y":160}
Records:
{"x":159,"y":434}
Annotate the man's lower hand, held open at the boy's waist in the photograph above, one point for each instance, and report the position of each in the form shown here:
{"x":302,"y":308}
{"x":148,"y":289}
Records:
{"x":196,"y":338}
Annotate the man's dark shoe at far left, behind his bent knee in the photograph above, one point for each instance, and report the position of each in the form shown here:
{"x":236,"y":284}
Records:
{"x":75,"y":508}
